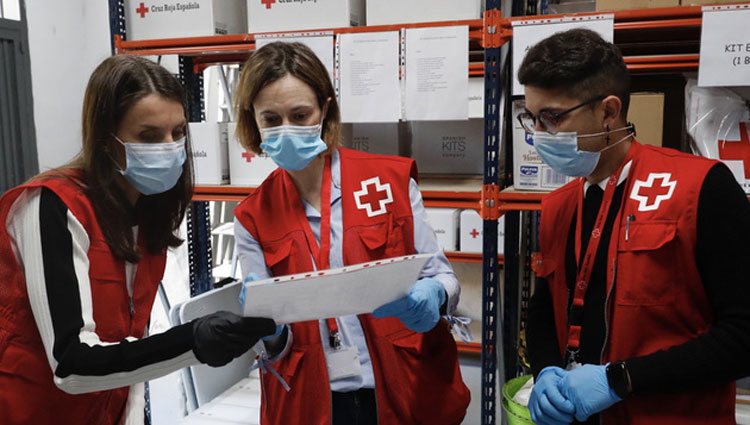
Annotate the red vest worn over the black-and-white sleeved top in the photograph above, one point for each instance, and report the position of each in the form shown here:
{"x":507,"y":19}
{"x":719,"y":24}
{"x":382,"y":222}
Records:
{"x":28,"y":394}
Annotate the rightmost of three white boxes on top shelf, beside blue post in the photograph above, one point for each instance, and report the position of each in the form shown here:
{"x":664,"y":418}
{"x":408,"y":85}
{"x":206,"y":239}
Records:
{"x":387,"y":12}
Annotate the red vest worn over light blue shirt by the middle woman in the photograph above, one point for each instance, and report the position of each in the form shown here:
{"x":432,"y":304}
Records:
{"x":417,"y":378}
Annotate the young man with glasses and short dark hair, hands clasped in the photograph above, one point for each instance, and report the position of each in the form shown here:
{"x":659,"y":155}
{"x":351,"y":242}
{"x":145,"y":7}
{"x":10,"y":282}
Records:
{"x":640,"y":309}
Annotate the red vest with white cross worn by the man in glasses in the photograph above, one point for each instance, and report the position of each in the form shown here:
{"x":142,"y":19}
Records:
{"x":656,"y":297}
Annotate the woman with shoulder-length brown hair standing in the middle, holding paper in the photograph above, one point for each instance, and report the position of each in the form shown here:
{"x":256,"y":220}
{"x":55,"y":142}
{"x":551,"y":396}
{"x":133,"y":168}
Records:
{"x":327,"y":207}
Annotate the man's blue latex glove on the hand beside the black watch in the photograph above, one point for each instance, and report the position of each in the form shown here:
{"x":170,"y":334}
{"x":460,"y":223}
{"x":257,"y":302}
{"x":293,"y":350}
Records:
{"x":588,"y":389}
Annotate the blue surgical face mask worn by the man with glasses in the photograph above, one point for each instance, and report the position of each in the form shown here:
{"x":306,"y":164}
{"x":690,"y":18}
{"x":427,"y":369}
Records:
{"x":560,"y":151}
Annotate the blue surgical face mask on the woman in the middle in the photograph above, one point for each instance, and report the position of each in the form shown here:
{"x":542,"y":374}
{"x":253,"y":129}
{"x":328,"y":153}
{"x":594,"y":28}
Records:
{"x":292,"y":147}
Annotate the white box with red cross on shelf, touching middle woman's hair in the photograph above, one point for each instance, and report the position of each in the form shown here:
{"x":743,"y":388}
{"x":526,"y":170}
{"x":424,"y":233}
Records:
{"x":245,"y":167}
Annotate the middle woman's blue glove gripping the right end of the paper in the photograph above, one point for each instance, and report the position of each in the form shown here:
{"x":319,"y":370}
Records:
{"x":419,"y":310}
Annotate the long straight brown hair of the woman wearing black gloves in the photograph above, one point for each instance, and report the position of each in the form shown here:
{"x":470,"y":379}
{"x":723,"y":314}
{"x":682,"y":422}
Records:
{"x":117,"y":84}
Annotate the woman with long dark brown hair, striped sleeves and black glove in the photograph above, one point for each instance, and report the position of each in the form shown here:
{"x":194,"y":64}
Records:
{"x":82,"y":251}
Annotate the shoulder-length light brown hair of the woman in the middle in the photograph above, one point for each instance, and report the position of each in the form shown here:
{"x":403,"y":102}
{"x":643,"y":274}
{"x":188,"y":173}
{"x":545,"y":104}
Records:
{"x":271,"y":63}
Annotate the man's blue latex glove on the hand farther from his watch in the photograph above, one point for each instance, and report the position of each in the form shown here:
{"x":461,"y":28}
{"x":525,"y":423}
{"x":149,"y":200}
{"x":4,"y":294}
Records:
{"x":546,"y":404}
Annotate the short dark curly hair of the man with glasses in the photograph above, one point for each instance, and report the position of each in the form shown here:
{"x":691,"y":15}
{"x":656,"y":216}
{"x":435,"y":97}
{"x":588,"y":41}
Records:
{"x":581,"y":64}
